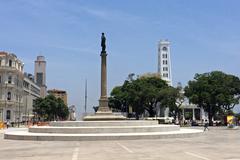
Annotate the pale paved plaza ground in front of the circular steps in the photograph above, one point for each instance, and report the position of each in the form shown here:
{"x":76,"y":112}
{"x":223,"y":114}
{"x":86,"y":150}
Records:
{"x":216,"y":144}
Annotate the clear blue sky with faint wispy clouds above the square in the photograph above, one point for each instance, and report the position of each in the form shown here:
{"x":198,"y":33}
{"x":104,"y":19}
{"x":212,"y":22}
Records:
{"x":204,"y":36}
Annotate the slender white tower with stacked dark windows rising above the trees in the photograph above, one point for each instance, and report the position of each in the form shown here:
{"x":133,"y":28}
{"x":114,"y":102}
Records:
{"x":164,"y":61}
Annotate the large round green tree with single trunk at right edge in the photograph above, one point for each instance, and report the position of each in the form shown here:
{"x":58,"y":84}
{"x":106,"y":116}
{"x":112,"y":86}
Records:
{"x":214,"y":91}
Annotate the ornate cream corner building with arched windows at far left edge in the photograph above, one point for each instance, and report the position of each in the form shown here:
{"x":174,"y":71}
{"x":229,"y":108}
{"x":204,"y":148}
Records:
{"x":11,"y":87}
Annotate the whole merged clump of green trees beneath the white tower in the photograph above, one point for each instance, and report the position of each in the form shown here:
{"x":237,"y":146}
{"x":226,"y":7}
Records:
{"x":142,"y":94}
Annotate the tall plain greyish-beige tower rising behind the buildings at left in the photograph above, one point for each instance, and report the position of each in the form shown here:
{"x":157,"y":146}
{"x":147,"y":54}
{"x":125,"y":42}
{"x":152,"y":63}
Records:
{"x":40,"y":74}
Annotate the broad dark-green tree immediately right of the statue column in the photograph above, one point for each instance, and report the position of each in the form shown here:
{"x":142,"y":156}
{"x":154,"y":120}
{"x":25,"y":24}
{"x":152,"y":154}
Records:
{"x":140,"y":93}
